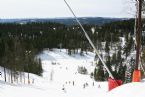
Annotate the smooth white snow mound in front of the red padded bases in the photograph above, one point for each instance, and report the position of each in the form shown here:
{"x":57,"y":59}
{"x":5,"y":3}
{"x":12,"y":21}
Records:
{"x":135,"y":89}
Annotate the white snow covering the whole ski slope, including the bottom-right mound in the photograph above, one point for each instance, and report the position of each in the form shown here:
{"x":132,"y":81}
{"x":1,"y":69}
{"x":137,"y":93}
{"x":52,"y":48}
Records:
{"x":61,"y":79}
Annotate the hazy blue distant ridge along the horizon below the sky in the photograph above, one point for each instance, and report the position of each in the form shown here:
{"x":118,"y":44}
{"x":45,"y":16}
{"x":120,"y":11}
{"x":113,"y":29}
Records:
{"x":67,"y":21}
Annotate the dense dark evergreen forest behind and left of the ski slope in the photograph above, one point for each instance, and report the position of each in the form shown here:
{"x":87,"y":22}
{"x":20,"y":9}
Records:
{"x":21,"y":42}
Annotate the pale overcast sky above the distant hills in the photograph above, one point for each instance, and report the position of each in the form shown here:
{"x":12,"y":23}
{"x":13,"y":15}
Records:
{"x":57,"y":8}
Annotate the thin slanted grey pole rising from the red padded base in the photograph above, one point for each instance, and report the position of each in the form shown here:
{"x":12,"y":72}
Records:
{"x":91,"y":43}
